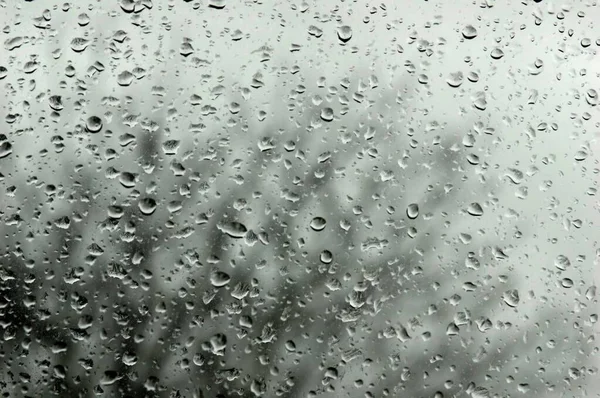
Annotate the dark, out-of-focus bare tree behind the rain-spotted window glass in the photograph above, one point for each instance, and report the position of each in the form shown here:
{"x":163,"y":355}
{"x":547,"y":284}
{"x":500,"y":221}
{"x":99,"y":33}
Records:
{"x":335,"y":251}
